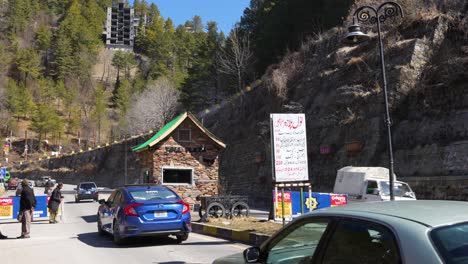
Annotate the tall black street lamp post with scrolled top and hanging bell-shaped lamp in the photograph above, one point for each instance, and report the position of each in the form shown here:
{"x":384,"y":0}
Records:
{"x":371,"y":15}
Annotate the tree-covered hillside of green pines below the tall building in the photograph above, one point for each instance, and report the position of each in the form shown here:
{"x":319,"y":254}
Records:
{"x":59,"y":83}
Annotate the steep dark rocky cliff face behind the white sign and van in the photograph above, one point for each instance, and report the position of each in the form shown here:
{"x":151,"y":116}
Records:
{"x":339,"y":90}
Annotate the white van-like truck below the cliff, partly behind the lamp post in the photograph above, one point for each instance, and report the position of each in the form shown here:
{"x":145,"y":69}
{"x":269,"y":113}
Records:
{"x":366,"y":184}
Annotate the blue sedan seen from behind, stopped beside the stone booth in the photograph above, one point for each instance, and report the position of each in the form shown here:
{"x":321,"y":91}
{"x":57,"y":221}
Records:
{"x":144,"y":210}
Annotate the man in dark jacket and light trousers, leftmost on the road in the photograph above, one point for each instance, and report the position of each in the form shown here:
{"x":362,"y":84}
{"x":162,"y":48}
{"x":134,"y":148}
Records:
{"x":27,"y":204}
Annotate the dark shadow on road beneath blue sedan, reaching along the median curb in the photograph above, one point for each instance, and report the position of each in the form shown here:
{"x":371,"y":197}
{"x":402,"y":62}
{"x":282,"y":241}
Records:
{"x":105,"y":241}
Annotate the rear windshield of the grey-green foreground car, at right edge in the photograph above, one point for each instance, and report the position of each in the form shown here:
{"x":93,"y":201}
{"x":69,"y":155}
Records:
{"x":452,"y":242}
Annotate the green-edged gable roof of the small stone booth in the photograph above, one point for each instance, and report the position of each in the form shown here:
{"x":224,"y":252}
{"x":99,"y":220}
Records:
{"x":171,"y":126}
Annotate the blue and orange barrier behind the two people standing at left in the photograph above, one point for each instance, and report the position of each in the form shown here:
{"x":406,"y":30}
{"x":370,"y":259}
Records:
{"x":9,"y":207}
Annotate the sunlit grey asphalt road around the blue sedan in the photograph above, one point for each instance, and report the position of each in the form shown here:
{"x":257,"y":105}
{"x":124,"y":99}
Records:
{"x":75,"y":240}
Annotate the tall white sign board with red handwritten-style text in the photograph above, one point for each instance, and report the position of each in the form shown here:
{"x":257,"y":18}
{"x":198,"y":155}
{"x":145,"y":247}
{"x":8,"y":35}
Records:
{"x":289,"y":143}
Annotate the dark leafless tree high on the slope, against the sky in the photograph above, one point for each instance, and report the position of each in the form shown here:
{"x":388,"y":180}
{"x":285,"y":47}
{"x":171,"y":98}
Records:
{"x":235,"y":57}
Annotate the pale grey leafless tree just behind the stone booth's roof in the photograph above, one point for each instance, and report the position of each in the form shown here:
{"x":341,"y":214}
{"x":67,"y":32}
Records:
{"x":154,"y":107}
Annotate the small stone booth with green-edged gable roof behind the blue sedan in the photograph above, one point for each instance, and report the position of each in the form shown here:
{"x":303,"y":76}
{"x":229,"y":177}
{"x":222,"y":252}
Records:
{"x":182,"y":155}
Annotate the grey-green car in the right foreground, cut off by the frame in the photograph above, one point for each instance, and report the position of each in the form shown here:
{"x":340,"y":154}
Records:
{"x":377,"y":232}
